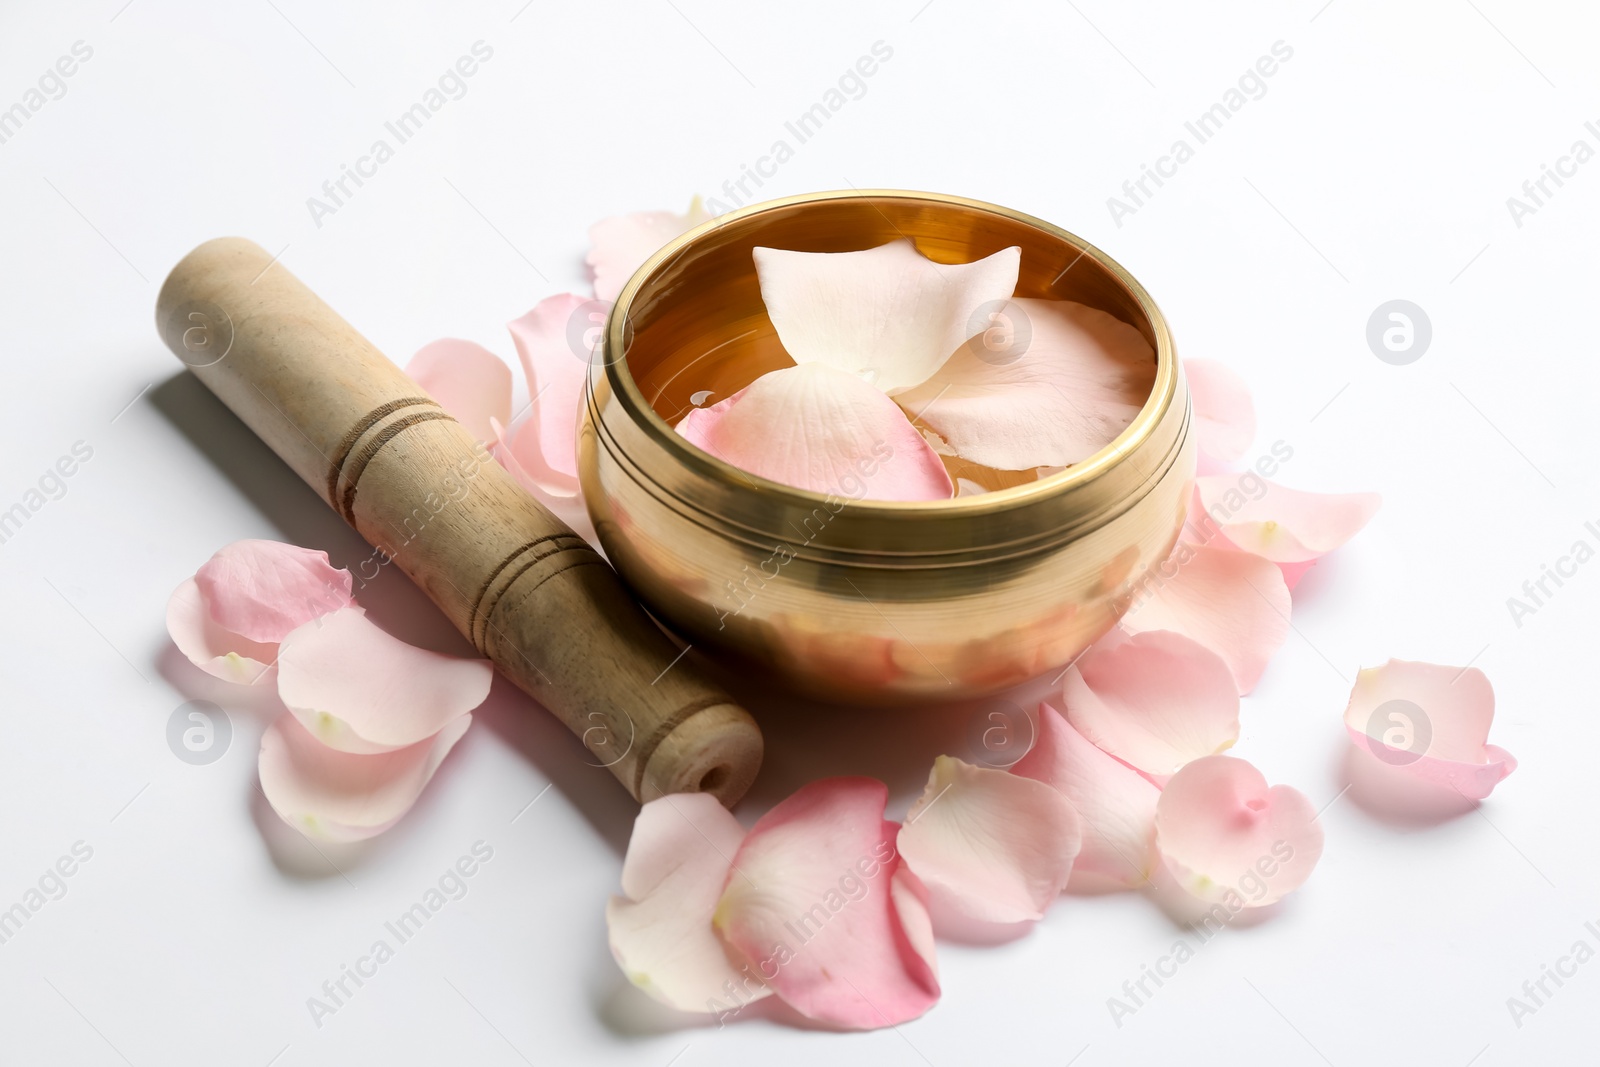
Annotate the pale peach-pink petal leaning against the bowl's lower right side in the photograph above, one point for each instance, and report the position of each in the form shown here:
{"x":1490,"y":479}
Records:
{"x":1234,"y":604}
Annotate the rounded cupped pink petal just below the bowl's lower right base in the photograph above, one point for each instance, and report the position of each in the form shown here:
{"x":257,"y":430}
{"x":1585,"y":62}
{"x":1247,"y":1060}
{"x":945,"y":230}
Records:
{"x":1156,"y":700}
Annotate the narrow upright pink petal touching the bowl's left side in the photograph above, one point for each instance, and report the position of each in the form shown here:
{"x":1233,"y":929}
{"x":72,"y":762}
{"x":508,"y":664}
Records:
{"x":556,"y":345}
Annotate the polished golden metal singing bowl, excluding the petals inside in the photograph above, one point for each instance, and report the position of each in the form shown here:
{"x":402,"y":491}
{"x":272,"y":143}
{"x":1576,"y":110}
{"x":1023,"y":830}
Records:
{"x":862,"y":601}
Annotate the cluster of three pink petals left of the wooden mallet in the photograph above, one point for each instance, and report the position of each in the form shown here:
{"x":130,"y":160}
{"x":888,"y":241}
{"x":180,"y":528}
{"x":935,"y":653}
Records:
{"x":369,"y":717}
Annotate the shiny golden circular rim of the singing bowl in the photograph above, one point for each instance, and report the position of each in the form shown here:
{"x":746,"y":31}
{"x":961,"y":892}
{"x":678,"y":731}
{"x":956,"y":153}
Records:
{"x":1164,"y":393}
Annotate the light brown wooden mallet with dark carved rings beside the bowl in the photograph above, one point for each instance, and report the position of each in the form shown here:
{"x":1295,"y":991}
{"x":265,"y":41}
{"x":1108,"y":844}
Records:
{"x":526,"y":589}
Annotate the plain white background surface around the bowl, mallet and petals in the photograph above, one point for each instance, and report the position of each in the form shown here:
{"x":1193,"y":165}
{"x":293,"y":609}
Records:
{"x":1377,"y":167}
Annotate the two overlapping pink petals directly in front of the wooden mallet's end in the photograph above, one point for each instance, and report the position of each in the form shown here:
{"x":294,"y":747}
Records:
{"x":814,"y":905}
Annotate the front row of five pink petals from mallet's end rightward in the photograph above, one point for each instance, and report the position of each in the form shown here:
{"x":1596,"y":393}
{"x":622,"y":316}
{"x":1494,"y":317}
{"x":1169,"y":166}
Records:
{"x":834,"y":911}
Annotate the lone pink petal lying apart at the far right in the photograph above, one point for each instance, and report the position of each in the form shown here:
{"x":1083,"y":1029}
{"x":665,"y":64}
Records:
{"x":1433,"y":722}
